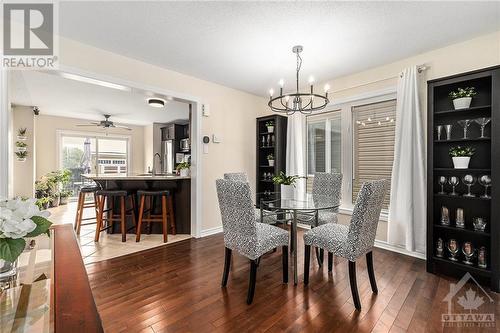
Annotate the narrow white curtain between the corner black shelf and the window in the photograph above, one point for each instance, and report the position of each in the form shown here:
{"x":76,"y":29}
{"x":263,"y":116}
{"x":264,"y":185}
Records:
{"x":295,"y":149}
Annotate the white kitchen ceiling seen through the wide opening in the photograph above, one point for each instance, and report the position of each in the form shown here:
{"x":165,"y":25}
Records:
{"x":58,"y":96}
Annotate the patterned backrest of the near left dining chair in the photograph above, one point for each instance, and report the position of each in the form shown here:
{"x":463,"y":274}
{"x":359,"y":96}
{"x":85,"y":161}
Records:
{"x":237,"y":212}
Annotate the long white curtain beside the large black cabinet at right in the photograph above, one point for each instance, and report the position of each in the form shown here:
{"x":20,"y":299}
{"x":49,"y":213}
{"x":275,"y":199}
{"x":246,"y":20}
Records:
{"x":407,"y":211}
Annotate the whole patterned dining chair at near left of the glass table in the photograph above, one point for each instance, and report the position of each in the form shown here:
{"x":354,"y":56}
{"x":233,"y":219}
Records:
{"x":243,"y":234}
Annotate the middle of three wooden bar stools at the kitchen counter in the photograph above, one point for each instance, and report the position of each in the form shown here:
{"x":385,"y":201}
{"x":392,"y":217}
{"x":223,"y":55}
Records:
{"x":108,"y":196}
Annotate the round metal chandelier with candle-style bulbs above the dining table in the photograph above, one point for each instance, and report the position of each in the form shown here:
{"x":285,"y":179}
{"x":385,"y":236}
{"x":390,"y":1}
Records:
{"x":303,"y":102}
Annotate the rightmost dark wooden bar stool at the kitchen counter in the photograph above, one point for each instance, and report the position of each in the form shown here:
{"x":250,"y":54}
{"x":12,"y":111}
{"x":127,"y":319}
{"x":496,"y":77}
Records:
{"x":167,"y":212}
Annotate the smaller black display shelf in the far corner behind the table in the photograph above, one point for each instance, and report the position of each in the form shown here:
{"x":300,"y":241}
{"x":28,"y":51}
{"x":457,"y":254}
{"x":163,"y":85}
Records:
{"x":270,"y":143}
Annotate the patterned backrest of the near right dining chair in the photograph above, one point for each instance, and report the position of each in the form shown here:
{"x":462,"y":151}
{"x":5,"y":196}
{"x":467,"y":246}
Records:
{"x":365,"y":217}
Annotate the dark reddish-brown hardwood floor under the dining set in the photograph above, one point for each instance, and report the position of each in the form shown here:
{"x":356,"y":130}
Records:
{"x":176,"y":288}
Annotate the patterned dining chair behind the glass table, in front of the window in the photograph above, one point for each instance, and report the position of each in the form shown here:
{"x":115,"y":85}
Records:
{"x":324,"y":183}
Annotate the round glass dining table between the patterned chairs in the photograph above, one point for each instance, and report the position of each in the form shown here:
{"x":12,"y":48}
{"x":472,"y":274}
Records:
{"x":299,"y":207}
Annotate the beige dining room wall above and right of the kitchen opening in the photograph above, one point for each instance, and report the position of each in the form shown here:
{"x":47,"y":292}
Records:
{"x":232,"y":115}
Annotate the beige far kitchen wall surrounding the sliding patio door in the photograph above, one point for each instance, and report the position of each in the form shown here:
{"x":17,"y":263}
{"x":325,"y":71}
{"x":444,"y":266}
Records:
{"x":46,"y":140}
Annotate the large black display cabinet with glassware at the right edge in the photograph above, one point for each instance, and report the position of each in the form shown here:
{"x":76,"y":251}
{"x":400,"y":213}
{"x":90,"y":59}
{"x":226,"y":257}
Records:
{"x":485,"y":161}
